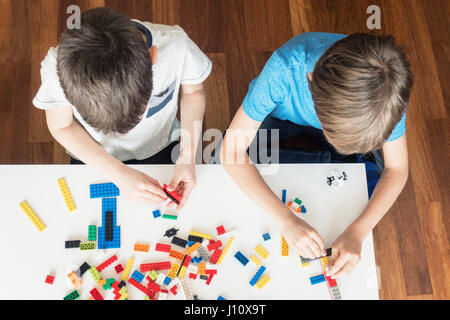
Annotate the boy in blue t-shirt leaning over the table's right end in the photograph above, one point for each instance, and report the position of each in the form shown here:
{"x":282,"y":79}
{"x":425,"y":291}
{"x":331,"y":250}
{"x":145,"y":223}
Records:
{"x":355,"y":89}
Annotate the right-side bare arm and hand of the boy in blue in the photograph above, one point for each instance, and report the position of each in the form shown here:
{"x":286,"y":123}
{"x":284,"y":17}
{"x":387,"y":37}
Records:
{"x":346,"y":249}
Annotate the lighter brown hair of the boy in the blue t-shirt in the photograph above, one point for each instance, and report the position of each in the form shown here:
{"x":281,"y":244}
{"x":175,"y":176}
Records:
{"x":360,"y":88}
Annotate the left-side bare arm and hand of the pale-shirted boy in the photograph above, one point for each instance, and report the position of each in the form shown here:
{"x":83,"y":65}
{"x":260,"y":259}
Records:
{"x":74,"y":138}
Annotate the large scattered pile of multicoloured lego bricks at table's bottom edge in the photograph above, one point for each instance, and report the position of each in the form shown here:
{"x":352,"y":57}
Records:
{"x":195,"y":258}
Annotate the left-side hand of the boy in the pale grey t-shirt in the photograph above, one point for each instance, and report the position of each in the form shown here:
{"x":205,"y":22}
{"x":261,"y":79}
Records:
{"x":136,"y":185}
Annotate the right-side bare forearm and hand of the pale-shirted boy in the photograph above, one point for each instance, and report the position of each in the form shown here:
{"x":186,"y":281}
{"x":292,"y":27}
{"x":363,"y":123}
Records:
{"x":192,"y":111}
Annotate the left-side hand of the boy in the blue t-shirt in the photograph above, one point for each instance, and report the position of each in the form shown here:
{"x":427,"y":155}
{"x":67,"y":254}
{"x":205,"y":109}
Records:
{"x":303,"y":238}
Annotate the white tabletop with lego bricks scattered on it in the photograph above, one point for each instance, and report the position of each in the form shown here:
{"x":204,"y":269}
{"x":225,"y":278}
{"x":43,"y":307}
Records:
{"x":28,"y":255}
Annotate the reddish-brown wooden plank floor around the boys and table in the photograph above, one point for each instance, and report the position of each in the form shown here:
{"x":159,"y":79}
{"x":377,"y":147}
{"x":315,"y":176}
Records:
{"x":412,"y":240}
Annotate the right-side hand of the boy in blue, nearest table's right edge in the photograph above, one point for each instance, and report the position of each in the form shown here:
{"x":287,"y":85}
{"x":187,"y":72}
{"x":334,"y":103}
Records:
{"x":345,"y":254}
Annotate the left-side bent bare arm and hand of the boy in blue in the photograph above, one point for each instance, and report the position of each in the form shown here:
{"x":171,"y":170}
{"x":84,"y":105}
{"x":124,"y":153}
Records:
{"x":298,"y":233}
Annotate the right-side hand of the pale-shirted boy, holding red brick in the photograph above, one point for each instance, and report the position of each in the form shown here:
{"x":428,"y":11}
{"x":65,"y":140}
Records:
{"x":183,"y":181}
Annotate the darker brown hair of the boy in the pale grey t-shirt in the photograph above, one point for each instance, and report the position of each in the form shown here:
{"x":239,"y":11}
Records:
{"x":105,"y":70}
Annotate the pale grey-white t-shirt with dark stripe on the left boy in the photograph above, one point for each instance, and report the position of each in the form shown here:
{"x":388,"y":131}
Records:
{"x":180,"y":61}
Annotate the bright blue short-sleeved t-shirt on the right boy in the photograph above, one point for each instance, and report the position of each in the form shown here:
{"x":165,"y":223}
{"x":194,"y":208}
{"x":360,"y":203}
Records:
{"x":281,"y":89}
